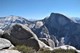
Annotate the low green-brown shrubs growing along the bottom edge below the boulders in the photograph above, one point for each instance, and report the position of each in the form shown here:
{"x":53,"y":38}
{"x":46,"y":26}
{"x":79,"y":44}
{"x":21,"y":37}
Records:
{"x":26,"y":49}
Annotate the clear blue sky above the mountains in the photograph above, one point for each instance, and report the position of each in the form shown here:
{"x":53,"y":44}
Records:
{"x":39,"y":9}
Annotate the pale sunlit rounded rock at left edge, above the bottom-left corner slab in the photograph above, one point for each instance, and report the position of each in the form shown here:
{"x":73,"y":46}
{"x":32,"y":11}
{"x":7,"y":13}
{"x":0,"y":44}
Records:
{"x":5,"y":44}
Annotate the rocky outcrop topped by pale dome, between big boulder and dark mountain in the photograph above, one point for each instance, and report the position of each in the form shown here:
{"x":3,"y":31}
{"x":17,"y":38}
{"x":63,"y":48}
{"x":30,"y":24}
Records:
{"x":39,"y":29}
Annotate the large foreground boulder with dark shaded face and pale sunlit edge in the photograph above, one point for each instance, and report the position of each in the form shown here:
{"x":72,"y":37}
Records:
{"x":20,"y":34}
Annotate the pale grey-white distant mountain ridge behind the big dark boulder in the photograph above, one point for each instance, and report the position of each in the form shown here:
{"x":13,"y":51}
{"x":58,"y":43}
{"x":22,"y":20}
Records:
{"x":7,"y":21}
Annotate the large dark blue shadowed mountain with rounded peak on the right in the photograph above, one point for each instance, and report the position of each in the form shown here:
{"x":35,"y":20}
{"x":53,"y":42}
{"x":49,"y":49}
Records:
{"x":61,"y":26}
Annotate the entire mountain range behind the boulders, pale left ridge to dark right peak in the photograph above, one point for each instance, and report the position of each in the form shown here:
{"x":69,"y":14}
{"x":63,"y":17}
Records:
{"x":61,"y":29}
